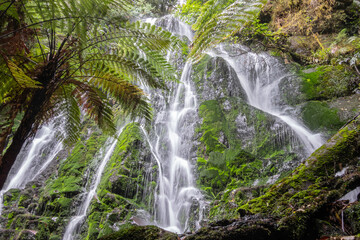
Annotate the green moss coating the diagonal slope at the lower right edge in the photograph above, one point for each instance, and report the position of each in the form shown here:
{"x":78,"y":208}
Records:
{"x":312,"y":183}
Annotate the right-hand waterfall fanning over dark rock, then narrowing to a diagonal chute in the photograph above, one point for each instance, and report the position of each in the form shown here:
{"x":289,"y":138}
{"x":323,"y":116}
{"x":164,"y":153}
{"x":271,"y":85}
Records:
{"x":260,"y":76}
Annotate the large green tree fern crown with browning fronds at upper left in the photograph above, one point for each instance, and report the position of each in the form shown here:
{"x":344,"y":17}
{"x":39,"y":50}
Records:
{"x":76,"y":56}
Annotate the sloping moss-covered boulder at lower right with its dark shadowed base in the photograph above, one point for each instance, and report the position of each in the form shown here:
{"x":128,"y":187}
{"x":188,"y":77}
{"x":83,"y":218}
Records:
{"x":301,"y":204}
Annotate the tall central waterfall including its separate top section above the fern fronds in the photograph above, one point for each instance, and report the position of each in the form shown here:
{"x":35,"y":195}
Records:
{"x":176,"y":192}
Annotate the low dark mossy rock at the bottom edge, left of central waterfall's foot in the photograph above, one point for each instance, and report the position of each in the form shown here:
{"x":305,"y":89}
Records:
{"x":140,"y":233}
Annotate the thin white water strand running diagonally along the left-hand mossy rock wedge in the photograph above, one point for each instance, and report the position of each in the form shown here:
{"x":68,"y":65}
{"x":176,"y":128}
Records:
{"x":76,"y":221}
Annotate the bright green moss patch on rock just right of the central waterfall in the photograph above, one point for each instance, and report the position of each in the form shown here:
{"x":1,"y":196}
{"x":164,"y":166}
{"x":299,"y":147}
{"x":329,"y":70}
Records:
{"x":222,"y":166}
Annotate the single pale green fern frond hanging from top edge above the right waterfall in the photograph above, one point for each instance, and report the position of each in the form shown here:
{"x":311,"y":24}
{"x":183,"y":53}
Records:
{"x":224,"y":25}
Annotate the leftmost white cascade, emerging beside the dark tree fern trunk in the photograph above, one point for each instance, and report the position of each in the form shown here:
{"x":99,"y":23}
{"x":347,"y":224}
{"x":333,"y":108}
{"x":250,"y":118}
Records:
{"x":35,"y":157}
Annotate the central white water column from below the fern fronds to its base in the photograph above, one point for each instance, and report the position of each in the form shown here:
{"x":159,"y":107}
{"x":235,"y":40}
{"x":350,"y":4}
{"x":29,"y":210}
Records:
{"x":177,"y":192}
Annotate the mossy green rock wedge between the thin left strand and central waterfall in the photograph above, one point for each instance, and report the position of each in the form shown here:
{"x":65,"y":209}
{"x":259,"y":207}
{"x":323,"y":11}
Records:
{"x":121,"y":188}
